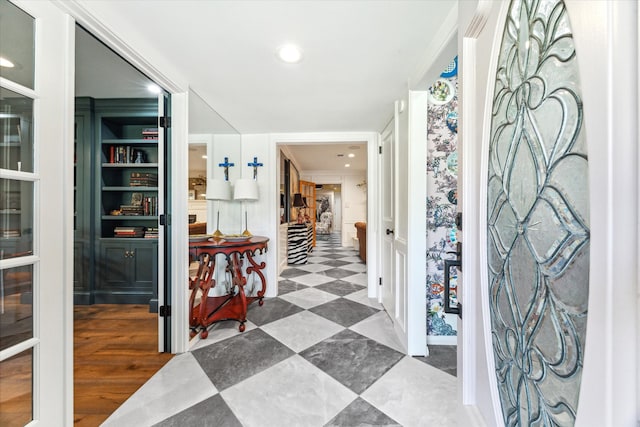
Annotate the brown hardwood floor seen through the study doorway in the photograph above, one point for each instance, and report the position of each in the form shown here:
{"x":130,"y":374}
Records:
{"x":115,"y":352}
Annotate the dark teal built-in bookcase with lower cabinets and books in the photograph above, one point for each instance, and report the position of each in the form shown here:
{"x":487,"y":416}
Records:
{"x":125,"y":187}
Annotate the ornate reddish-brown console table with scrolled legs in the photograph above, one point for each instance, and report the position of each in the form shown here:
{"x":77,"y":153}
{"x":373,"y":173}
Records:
{"x":232,"y":305}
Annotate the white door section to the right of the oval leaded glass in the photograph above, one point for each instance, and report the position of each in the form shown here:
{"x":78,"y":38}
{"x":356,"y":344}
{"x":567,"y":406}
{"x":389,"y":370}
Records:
{"x":604,"y":34}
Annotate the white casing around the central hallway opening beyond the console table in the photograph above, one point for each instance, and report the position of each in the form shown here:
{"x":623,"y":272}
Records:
{"x":371,"y":139}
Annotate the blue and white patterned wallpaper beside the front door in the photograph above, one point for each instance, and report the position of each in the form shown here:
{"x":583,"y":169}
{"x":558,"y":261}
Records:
{"x":442,"y":183}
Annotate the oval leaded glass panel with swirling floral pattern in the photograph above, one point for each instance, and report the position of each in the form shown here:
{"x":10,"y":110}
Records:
{"x":538,"y":218}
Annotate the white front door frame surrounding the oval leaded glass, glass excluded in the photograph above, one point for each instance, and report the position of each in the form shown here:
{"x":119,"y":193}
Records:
{"x":607,"y":46}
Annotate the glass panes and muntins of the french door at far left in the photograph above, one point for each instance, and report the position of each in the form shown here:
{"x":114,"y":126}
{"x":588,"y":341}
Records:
{"x":18,"y":339}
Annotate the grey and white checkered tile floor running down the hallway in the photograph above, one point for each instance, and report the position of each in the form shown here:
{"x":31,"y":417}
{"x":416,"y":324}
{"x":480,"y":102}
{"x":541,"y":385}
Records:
{"x":320,"y":354}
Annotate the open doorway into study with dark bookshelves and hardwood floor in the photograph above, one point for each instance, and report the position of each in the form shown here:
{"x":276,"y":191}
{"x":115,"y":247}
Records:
{"x":120,"y":184}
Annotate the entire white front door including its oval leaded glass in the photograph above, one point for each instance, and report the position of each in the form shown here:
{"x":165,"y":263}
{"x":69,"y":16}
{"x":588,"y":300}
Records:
{"x":597,"y":107}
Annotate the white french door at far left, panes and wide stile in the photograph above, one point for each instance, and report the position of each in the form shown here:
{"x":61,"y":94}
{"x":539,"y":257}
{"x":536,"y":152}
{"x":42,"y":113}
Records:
{"x":36,"y":214}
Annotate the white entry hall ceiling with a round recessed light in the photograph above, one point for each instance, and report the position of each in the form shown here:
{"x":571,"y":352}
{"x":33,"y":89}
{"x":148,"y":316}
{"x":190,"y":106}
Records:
{"x":358,"y":56}
